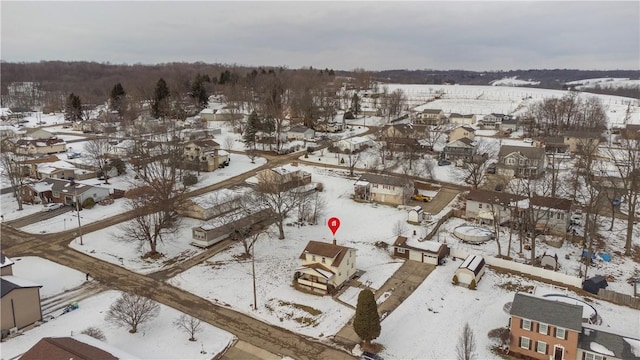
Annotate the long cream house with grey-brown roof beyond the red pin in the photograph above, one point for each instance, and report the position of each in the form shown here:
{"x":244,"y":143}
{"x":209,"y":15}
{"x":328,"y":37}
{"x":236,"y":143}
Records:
{"x":383,"y":189}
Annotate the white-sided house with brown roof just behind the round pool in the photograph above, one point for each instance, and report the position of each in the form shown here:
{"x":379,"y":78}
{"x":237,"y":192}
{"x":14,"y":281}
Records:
{"x":486,"y":206}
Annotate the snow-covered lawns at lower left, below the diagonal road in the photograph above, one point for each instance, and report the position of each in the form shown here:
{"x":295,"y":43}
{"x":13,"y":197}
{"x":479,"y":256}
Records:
{"x":158,"y":339}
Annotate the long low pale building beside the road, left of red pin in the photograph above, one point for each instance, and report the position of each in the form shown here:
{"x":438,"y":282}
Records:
{"x":238,"y":222}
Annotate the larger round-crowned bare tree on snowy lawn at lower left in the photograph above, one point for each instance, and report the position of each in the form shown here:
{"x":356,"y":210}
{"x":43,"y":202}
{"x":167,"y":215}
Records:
{"x":132,"y":310}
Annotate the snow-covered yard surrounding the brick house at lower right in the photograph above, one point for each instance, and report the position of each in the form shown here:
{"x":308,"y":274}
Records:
{"x":431,"y":319}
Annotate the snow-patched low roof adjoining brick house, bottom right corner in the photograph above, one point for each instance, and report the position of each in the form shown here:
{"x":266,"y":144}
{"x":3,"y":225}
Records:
{"x":597,"y":340}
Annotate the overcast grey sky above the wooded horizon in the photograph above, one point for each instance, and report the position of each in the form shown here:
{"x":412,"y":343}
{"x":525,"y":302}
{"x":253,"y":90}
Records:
{"x":475,"y":35}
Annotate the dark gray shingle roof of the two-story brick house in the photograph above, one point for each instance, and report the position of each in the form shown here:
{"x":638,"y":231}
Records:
{"x":552,"y":312}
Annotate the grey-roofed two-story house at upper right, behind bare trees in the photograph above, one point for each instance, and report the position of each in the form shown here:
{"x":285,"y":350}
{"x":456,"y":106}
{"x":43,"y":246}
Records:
{"x":521,"y":161}
